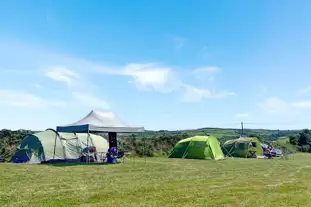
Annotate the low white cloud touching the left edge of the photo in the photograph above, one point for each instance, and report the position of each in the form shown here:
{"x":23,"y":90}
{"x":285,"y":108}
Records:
{"x":26,"y":100}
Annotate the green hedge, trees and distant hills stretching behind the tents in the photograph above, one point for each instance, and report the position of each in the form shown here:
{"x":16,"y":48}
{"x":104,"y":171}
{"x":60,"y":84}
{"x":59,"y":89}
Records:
{"x":159,"y":143}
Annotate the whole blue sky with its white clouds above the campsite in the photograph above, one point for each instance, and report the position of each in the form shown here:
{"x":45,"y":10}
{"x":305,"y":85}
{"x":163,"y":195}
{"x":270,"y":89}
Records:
{"x":160,"y":64}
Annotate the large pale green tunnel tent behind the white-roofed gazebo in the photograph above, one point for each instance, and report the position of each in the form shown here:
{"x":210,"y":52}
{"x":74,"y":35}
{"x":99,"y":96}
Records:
{"x":50,"y":145}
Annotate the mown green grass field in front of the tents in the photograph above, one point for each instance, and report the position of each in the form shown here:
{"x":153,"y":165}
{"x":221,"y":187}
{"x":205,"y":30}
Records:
{"x":160,"y":182}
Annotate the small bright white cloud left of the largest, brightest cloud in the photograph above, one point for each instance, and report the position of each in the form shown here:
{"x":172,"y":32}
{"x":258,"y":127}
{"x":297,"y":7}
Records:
{"x":62,"y":74}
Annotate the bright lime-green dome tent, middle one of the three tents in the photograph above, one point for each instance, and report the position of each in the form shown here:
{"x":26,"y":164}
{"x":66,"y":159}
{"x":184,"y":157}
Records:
{"x":197,"y":147}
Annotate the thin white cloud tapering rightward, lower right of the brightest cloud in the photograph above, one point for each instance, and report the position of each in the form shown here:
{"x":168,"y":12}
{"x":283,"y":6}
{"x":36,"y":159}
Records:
{"x":193,"y":94}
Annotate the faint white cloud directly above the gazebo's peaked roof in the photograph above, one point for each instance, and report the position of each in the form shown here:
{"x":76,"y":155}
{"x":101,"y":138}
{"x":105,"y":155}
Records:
{"x":89,"y":100}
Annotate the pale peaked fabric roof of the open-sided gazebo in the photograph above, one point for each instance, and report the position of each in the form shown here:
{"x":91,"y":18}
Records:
{"x":98,"y":121}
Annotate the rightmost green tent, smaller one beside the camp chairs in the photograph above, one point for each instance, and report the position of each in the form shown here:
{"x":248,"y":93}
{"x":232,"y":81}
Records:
{"x":243,"y":147}
